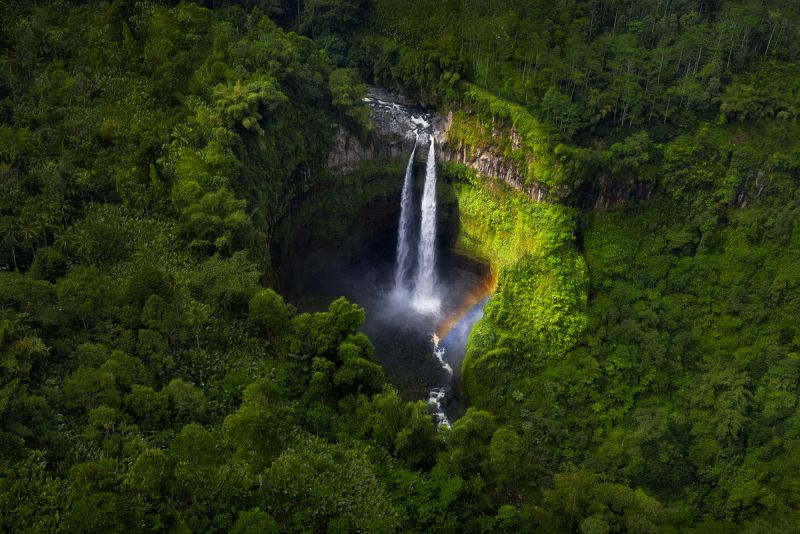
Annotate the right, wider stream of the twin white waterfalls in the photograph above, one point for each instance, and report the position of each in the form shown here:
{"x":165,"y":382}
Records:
{"x":424,"y":298}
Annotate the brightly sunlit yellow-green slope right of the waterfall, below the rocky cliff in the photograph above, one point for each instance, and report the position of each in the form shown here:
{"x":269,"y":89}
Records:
{"x":539,"y":307}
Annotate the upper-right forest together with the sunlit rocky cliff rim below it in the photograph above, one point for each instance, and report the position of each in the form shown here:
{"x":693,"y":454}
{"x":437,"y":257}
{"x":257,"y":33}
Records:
{"x":582,"y":88}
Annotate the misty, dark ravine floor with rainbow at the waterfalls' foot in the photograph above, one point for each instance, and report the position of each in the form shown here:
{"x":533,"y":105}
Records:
{"x":403,"y":338}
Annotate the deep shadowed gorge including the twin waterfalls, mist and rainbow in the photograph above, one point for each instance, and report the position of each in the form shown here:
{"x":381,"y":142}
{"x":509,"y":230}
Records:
{"x":394,"y":258}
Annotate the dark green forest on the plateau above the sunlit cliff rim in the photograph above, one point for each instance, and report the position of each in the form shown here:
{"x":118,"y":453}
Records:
{"x":590,"y":67}
